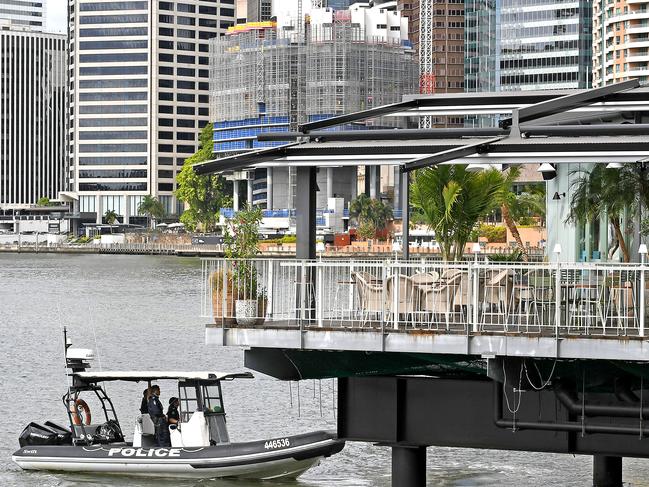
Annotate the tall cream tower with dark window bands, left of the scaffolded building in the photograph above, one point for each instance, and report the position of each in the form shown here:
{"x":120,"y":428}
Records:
{"x":139,"y":97}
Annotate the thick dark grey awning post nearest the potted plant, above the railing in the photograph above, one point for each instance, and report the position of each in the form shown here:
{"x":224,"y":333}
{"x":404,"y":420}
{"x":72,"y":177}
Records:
{"x":305,"y":208}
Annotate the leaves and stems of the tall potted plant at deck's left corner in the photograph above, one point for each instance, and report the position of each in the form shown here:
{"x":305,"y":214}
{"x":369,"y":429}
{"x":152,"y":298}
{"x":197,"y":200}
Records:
{"x":241,"y":239}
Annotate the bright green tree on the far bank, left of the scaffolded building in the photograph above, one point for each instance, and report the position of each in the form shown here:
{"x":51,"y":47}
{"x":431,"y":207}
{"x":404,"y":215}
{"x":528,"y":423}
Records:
{"x":204,"y":194}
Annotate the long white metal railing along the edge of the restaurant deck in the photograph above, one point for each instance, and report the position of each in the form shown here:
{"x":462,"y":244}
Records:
{"x":469,"y":297}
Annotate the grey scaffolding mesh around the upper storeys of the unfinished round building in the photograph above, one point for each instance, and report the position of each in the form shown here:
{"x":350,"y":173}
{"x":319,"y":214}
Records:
{"x":333,"y":69}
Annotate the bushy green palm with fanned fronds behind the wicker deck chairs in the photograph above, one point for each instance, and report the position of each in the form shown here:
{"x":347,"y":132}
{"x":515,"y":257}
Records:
{"x":452,"y":200}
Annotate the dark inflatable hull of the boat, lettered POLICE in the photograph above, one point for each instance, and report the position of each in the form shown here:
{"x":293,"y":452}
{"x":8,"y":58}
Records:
{"x":286,"y":457}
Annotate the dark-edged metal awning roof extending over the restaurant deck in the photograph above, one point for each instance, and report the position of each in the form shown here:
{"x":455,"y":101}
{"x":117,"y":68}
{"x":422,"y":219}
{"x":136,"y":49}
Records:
{"x":541,"y":130}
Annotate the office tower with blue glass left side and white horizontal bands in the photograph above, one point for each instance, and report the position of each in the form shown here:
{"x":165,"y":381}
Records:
{"x":527,"y":45}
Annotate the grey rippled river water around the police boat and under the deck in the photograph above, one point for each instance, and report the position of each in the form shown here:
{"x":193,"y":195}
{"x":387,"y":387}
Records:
{"x":141,"y":312}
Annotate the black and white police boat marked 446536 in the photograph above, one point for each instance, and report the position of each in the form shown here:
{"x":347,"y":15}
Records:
{"x":200,"y":445}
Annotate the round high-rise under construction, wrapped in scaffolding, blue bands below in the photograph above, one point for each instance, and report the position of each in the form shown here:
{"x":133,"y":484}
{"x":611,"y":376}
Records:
{"x":272,"y":76}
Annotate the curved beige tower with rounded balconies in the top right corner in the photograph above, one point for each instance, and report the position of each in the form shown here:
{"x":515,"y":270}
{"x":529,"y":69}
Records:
{"x":620,"y":35}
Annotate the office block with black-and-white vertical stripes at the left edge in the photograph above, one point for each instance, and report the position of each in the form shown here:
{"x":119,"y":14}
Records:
{"x":32,"y":116}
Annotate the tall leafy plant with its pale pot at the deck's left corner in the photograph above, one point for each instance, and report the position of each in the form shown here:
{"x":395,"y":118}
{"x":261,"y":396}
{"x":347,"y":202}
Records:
{"x":241,"y":239}
